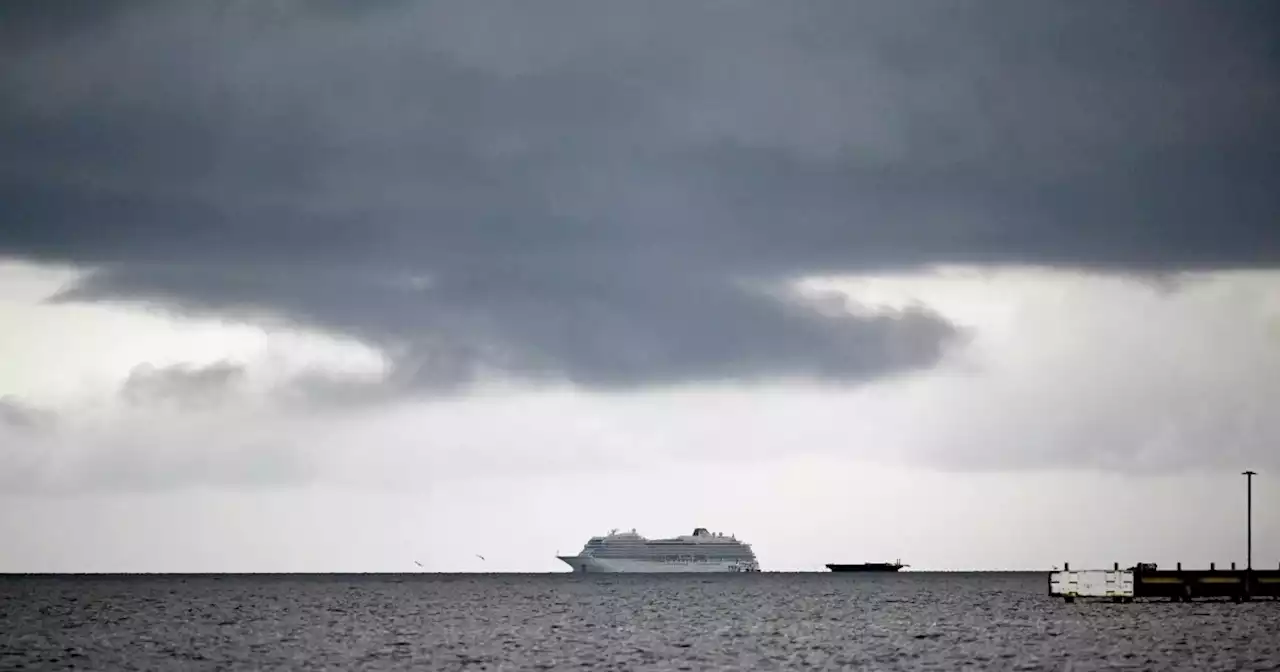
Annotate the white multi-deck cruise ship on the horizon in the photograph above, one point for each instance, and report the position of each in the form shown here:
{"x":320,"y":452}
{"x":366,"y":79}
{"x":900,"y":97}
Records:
{"x":630,"y":552}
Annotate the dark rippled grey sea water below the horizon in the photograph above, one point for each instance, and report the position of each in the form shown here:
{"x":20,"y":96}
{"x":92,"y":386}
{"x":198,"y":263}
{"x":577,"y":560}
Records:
{"x":772,"y":621}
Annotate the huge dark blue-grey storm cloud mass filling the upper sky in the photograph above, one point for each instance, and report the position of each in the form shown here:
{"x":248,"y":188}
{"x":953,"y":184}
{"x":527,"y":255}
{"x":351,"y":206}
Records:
{"x":614,"y":194}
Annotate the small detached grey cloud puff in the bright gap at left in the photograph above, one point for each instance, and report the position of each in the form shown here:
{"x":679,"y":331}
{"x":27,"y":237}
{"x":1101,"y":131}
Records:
{"x":182,"y":385}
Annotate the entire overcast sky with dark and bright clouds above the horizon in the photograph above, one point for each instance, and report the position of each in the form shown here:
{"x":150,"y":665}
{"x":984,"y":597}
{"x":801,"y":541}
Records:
{"x":341,"y":286}
